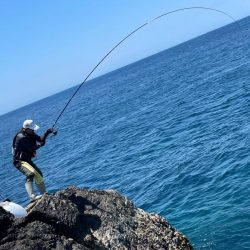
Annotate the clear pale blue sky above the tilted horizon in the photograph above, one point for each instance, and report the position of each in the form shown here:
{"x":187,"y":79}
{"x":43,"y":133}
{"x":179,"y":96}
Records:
{"x":48,"y":46}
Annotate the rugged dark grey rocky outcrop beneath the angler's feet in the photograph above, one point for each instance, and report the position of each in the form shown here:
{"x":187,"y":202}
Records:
{"x":87,"y":219}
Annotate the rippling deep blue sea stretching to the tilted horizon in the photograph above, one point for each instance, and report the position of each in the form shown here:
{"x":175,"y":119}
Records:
{"x":171,"y":132}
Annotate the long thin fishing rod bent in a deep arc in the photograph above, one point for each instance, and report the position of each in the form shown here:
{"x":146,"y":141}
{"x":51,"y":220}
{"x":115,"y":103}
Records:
{"x":125,"y":38}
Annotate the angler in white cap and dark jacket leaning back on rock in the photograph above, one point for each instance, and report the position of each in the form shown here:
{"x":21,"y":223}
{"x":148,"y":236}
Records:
{"x":24,"y":146}
